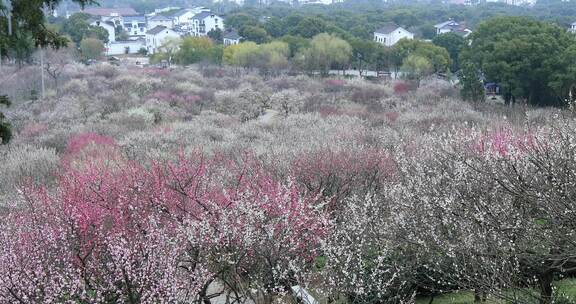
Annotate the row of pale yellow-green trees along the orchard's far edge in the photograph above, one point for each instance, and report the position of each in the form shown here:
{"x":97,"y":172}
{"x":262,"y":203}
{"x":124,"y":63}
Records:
{"x":320,"y":54}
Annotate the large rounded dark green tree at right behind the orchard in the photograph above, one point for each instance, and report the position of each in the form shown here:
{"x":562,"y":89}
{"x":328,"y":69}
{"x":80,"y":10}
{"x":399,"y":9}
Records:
{"x":528,"y":58}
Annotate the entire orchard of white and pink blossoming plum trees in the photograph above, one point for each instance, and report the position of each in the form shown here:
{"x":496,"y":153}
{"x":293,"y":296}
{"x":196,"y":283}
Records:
{"x":167,"y":184}
